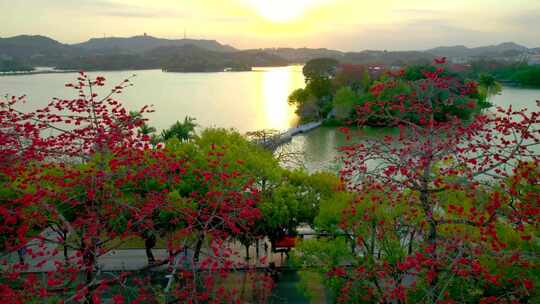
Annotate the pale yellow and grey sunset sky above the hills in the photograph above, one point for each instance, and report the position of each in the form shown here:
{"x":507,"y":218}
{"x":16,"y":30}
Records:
{"x":338,"y":24}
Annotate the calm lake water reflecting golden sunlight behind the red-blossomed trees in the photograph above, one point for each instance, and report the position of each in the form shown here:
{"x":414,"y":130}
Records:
{"x":246,"y":101}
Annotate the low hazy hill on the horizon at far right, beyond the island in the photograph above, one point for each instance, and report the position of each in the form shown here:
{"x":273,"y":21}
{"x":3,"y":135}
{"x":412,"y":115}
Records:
{"x":504,"y":49}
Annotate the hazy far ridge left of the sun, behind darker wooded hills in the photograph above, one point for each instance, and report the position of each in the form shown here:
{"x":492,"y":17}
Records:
{"x":141,"y":44}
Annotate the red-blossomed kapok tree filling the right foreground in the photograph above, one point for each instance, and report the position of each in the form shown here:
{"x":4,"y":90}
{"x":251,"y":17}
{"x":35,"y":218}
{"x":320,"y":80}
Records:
{"x":446,"y":211}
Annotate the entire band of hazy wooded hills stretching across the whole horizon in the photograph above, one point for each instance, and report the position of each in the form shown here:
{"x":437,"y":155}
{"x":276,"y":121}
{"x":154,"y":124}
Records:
{"x":187,"y":55}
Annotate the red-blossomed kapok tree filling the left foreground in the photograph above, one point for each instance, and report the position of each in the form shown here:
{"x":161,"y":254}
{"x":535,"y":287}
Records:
{"x":77,"y":174}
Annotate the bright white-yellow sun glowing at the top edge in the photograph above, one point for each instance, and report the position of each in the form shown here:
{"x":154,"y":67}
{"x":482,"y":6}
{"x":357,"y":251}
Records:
{"x":281,"y":10}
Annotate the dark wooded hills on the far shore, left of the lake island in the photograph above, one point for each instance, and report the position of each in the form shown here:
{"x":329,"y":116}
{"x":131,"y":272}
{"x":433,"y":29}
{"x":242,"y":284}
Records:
{"x":140,"y":52}
